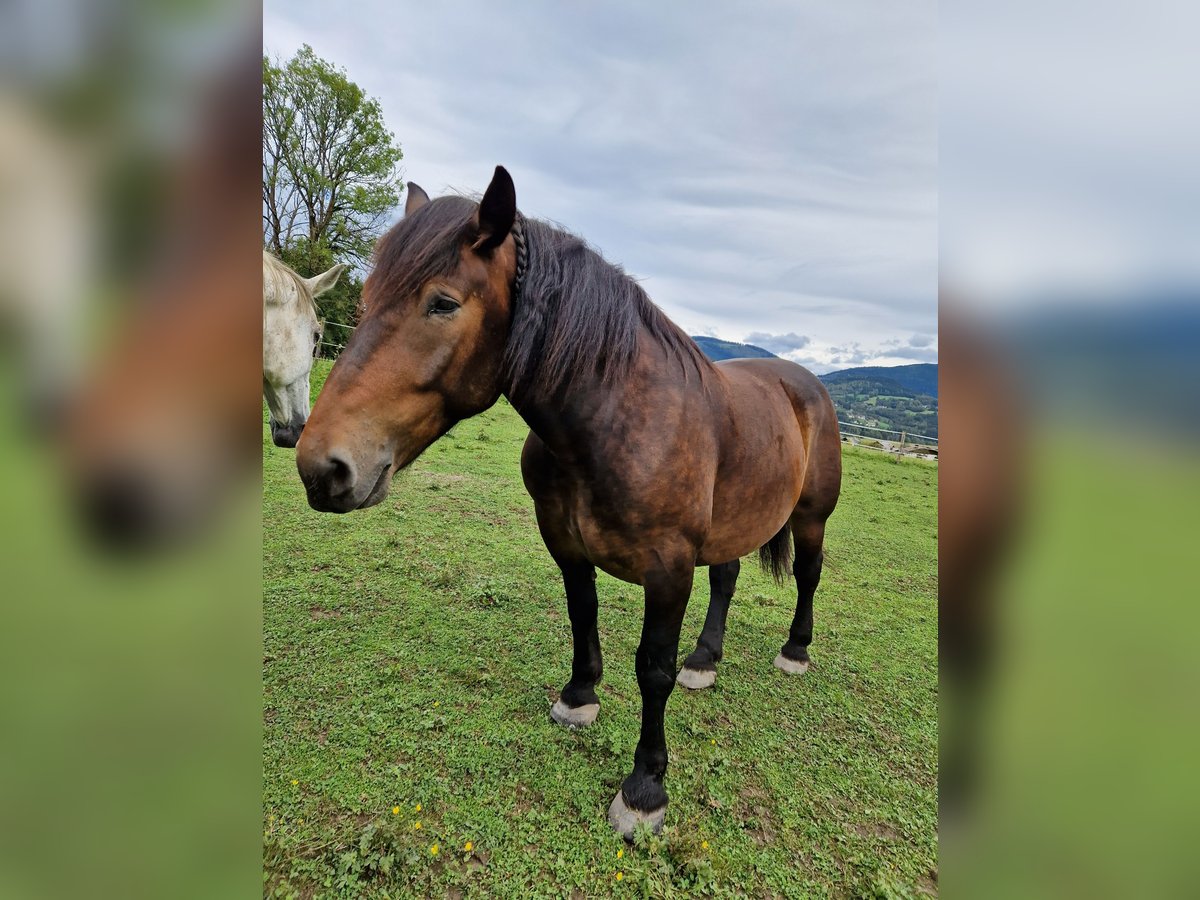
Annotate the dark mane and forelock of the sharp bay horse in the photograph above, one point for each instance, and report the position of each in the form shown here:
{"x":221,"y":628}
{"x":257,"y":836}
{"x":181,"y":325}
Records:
{"x":578,"y":315}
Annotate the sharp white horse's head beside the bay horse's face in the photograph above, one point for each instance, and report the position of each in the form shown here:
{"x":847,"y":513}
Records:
{"x":291,"y":332}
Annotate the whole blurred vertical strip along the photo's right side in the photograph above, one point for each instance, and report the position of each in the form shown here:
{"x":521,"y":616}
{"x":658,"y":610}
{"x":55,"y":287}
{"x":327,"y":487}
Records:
{"x":1070,"y":724}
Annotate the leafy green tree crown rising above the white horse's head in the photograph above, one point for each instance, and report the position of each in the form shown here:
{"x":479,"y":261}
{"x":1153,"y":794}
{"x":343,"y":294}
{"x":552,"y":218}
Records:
{"x":329,"y":164}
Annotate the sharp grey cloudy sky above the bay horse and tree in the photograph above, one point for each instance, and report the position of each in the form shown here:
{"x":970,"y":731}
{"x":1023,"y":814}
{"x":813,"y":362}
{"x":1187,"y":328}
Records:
{"x":767,"y":171}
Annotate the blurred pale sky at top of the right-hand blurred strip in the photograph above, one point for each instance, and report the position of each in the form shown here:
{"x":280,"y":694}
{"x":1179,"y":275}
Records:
{"x":1069,"y":152}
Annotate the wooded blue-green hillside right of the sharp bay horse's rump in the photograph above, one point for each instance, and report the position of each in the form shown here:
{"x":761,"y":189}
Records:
{"x":873,"y":397}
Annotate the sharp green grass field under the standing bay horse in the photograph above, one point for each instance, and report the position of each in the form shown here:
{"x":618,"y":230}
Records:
{"x":413,"y":651}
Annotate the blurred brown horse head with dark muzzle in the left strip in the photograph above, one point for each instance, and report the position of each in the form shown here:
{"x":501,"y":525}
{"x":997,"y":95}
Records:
{"x":163,"y":437}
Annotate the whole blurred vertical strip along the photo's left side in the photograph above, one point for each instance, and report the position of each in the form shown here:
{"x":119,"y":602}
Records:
{"x":130,"y":422}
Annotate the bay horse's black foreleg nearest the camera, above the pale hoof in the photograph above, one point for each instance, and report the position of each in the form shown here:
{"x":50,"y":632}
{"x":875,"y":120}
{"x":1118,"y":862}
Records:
{"x":667,"y":599}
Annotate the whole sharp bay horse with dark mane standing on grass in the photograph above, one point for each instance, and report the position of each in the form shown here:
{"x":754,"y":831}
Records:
{"x":644,"y":459}
